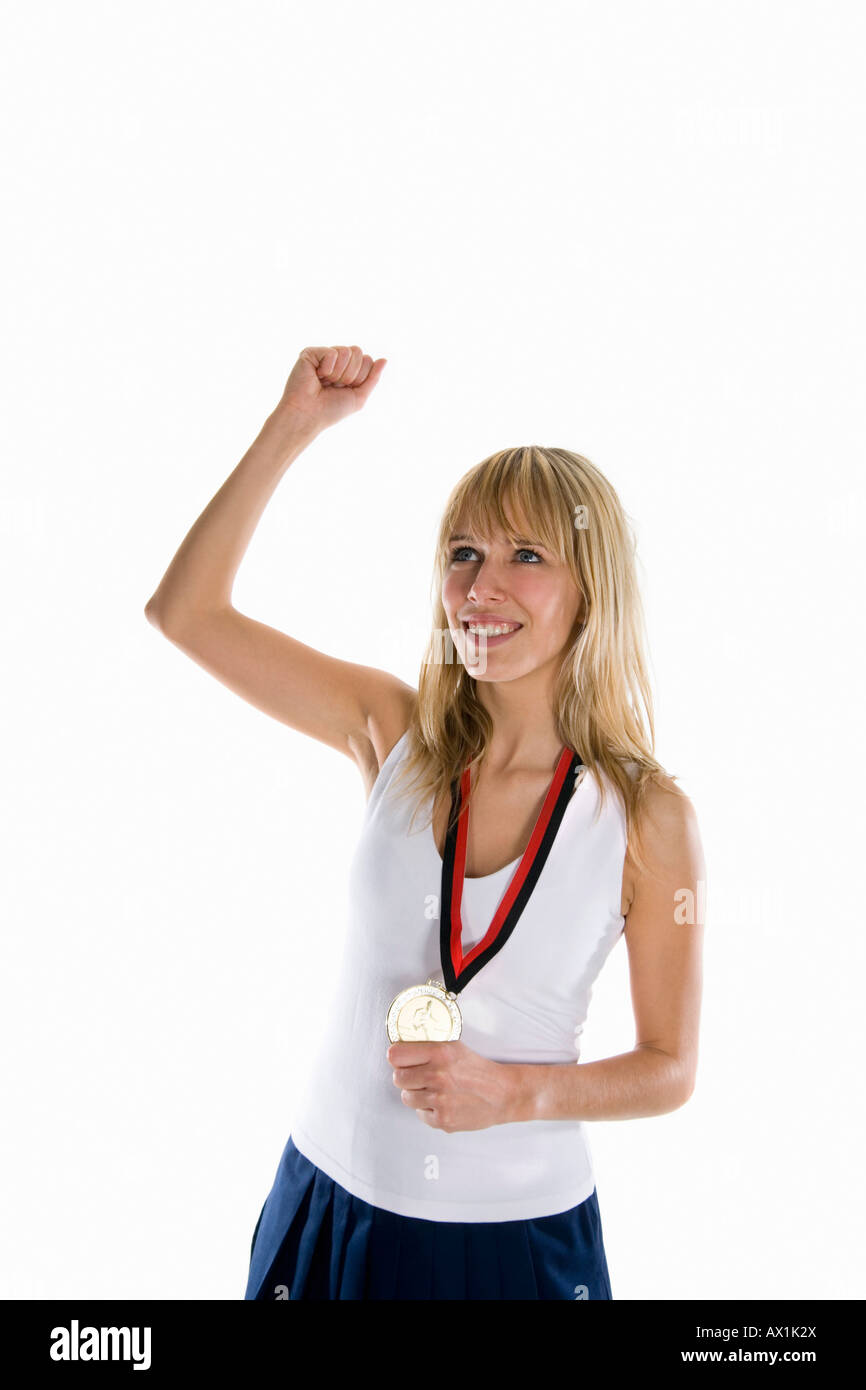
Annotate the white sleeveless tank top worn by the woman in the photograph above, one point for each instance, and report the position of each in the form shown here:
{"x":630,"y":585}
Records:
{"x":528,"y":1004}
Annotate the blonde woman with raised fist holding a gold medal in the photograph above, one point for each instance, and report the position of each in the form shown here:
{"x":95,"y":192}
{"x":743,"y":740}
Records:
{"x":443,"y":1154}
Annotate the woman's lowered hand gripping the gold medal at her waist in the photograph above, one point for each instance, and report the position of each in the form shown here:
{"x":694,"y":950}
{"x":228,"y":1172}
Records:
{"x":451,"y":1088}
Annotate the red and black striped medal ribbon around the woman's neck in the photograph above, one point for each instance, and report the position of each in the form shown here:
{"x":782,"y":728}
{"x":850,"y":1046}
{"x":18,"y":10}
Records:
{"x":458,"y":968}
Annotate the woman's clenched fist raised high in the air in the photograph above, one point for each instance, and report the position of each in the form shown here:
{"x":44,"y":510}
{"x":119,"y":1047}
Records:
{"x":329,"y":384}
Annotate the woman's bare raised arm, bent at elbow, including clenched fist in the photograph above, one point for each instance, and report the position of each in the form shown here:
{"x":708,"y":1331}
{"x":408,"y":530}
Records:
{"x":358,"y":710}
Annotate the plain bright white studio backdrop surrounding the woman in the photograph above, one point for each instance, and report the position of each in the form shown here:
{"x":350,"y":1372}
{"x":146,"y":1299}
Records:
{"x":630,"y":230}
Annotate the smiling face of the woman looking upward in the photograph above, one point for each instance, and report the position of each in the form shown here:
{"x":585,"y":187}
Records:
{"x":522,"y":587}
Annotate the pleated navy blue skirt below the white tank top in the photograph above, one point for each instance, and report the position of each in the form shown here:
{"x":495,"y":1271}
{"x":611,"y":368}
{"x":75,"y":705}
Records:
{"x":316,"y":1241}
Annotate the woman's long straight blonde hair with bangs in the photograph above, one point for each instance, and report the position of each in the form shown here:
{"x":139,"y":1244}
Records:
{"x":576,"y":514}
